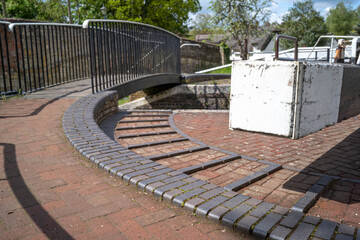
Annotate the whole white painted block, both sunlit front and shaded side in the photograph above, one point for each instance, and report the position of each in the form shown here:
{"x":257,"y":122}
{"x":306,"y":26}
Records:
{"x":290,"y":99}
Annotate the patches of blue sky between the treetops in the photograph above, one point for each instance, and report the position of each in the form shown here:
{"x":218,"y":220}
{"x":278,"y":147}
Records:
{"x":280,"y":7}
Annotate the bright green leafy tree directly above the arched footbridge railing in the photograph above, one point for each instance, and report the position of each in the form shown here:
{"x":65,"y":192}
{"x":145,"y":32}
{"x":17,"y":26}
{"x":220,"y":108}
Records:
{"x":171,"y":15}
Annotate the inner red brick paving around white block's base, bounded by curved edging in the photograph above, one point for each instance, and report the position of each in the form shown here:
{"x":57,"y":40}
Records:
{"x":333,"y":151}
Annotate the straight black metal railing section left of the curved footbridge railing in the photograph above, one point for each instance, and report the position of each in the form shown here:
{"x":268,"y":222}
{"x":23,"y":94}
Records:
{"x":46,"y":54}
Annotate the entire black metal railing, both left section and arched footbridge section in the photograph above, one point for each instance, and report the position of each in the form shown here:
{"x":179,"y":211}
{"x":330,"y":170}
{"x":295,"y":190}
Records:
{"x":39,"y":55}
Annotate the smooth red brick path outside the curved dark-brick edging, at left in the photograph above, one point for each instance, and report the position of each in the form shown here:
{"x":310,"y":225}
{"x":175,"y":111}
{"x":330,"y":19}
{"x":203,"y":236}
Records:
{"x":47,"y":190}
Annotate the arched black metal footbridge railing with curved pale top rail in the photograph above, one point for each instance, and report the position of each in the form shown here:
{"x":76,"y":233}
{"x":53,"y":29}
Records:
{"x":122,"y":51}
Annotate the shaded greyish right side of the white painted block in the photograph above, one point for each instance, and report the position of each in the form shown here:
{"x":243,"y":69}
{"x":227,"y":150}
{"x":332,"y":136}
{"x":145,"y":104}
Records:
{"x":320,"y":96}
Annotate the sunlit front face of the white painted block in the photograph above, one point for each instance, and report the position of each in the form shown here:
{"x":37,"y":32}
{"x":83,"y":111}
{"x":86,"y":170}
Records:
{"x":262,"y":96}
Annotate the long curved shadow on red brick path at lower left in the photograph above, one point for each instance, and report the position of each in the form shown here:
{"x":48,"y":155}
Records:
{"x":27,"y":200}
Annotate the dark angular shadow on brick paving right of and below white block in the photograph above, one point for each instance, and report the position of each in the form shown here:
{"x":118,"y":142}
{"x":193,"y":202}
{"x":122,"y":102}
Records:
{"x":342,"y":162}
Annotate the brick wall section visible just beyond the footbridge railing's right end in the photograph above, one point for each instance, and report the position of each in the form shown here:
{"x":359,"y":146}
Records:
{"x":194,"y":58}
